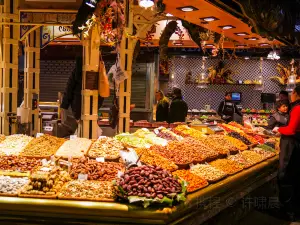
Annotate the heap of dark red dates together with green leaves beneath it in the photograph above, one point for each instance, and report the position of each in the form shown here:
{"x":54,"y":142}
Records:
{"x":149,"y":183}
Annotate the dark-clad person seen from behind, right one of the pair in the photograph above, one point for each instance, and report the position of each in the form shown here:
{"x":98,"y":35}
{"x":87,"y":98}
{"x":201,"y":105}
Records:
{"x":178,"y":108}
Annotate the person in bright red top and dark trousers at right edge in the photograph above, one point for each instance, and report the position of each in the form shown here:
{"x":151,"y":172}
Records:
{"x":289,"y":158}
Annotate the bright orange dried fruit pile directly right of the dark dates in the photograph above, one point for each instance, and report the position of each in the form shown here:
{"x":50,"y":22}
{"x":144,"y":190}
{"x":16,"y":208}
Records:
{"x":195,"y":182}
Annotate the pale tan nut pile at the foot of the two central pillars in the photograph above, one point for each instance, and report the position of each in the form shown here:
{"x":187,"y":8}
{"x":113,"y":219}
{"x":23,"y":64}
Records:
{"x":106,"y":147}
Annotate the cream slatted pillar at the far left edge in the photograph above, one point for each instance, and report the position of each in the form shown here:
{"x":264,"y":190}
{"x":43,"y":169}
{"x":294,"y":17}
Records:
{"x":9,"y":36}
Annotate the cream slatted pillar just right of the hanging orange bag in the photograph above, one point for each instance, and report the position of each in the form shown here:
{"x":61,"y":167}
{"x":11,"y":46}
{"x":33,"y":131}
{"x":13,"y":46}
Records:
{"x":126,"y":54}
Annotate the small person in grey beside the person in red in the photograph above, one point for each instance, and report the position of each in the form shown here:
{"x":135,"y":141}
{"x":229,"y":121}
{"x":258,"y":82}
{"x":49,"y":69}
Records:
{"x":279,"y":118}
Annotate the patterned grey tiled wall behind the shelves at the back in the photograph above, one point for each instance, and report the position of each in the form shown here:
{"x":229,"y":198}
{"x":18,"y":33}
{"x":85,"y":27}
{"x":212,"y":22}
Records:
{"x":214,"y":94}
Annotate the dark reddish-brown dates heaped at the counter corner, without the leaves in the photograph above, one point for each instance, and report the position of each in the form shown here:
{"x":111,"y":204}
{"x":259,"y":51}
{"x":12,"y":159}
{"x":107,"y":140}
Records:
{"x":149,"y":182}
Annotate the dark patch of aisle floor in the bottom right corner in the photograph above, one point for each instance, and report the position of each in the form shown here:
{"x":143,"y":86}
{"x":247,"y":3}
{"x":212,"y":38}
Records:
{"x":258,"y":218}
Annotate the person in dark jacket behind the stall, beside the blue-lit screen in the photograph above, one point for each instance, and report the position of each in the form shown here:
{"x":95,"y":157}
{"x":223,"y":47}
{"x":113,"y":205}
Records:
{"x":228,"y":110}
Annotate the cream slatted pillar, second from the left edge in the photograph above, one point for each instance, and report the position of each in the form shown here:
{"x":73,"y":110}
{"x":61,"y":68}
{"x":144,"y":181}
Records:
{"x":32,"y":78}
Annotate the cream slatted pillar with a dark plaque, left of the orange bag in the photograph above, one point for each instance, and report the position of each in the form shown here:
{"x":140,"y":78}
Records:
{"x":89,"y":111}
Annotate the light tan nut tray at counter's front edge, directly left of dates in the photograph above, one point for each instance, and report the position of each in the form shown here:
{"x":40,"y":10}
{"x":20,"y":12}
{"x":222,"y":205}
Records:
{"x":88,"y":190}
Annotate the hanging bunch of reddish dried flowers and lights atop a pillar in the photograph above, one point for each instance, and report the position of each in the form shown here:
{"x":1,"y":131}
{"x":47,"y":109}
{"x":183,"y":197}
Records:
{"x":108,"y":19}
